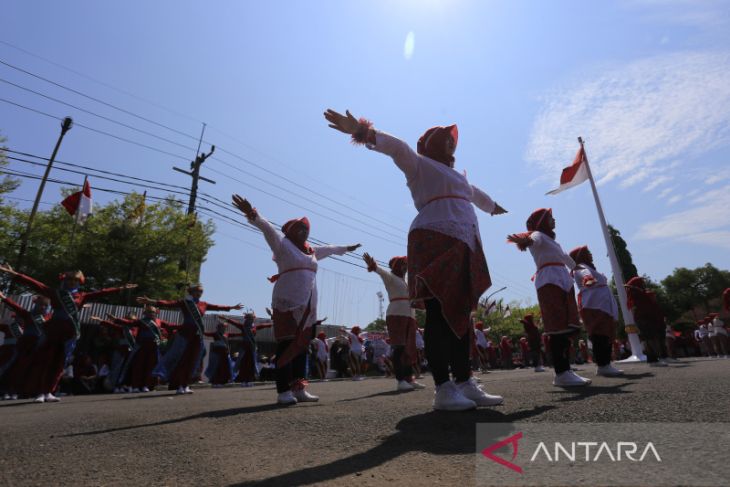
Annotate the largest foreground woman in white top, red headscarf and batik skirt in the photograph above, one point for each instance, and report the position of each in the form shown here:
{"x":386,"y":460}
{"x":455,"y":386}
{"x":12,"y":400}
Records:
{"x":446,"y":264}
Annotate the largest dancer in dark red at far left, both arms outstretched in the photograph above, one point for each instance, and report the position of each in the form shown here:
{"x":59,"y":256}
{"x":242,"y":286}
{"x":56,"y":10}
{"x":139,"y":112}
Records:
{"x":62,"y":330}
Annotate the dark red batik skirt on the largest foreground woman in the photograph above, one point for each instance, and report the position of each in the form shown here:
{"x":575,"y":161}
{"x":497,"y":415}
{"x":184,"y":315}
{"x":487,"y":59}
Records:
{"x":445,"y":268}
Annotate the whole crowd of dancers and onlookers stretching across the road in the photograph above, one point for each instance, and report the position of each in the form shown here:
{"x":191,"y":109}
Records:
{"x":447,"y":274}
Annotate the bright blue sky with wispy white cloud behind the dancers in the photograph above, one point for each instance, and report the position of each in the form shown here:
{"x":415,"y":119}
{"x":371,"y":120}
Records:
{"x":646,"y":83}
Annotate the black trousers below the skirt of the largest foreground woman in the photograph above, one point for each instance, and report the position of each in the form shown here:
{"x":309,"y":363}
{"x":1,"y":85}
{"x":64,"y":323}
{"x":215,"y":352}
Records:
{"x":444,"y":350}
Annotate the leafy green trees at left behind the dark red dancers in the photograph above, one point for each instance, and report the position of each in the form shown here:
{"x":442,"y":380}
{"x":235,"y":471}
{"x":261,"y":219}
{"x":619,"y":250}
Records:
{"x":117,"y":244}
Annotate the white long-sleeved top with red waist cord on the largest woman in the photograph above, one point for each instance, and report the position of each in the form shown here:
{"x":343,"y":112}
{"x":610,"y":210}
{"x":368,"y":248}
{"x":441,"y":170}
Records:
{"x":428,"y":179}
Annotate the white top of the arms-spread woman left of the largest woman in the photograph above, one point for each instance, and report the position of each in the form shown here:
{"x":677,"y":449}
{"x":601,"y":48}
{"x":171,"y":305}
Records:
{"x":295,"y":290}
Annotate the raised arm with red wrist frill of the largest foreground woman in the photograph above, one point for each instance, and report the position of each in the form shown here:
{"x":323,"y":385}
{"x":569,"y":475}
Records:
{"x":362,"y":132}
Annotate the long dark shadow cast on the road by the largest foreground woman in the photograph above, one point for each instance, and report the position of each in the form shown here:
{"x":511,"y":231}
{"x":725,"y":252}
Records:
{"x":435,"y":432}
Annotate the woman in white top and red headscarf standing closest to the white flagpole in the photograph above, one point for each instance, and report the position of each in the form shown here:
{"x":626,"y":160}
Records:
{"x":597,"y":308}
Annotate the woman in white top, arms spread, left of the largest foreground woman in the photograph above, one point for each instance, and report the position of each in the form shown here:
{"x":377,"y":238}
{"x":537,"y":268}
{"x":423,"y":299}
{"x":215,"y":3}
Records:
{"x":294,"y":298}
